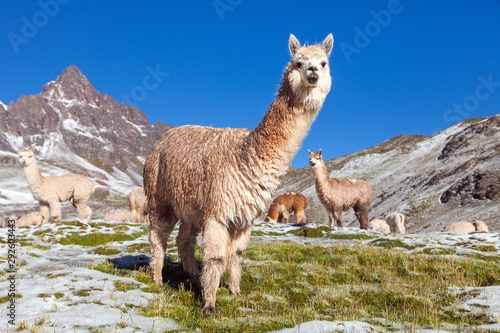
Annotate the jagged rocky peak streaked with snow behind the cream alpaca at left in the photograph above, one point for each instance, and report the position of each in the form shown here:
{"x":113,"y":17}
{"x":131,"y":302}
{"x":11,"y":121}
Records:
{"x":74,"y":128}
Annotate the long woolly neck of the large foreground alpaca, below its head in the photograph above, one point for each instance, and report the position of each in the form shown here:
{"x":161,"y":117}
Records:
{"x":278,"y":137}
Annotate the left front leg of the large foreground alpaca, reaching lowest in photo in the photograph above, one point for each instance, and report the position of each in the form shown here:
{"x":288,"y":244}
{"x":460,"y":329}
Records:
{"x":215,"y":247}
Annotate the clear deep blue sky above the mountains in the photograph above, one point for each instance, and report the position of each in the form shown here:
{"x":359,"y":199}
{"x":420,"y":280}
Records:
{"x":398,"y":67}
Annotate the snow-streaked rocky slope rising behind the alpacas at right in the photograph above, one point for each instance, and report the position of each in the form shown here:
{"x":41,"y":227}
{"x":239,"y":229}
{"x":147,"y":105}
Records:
{"x":451,"y":176}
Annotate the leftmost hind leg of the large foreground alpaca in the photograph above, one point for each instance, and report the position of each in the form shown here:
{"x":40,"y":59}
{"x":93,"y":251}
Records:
{"x":159,"y":230}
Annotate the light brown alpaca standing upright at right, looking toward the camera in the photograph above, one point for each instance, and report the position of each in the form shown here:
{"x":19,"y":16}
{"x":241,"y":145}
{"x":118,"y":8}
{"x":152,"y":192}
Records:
{"x":339,"y":195}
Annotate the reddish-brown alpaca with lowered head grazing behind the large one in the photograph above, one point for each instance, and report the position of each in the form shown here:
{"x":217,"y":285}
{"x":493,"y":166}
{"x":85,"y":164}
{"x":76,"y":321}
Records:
{"x":285,"y":204}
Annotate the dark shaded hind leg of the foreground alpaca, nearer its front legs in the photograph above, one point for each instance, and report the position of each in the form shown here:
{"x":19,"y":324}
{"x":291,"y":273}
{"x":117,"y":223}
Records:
{"x":186,"y":241}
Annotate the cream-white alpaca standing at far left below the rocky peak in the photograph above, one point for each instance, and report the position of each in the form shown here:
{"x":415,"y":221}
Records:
{"x":50,"y":191}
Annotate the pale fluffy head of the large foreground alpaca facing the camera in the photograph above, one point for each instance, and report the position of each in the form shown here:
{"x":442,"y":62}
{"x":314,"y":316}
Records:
{"x":309,"y":69}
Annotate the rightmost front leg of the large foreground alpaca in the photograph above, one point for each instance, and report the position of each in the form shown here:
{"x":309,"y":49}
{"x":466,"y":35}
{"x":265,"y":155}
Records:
{"x":238,"y":244}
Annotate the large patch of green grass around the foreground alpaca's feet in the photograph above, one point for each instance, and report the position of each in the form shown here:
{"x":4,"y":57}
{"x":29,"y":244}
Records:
{"x":285,"y":284}
